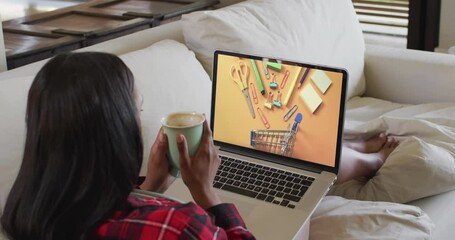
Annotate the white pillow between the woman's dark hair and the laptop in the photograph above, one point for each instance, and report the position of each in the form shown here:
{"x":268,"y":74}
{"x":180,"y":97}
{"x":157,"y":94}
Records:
{"x":170,"y":79}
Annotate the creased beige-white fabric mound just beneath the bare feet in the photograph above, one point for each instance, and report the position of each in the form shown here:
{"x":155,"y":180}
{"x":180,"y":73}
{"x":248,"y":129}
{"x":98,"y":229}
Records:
{"x":415,"y":169}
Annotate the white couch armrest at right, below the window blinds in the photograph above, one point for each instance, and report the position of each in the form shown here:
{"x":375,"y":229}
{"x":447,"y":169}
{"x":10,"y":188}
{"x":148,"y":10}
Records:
{"x":409,"y":76}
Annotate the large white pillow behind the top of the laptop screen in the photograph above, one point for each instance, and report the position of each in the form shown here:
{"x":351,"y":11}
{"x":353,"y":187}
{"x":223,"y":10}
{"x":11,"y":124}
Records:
{"x":324,"y":31}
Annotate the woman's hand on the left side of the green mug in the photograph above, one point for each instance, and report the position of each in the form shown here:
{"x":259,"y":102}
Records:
{"x":158,"y":178}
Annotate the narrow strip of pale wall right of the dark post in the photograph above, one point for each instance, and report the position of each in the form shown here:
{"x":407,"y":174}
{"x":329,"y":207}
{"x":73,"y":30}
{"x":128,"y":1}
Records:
{"x":447,"y":26}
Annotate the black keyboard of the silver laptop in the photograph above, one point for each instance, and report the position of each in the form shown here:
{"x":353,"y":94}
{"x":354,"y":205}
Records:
{"x":261,"y":182}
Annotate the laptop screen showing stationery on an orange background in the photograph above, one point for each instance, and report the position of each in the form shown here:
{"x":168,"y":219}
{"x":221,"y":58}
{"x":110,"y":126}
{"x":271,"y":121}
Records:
{"x":281,"y":107}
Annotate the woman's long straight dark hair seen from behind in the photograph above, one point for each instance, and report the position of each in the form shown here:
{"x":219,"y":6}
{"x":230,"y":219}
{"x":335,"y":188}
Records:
{"x":83,"y":148}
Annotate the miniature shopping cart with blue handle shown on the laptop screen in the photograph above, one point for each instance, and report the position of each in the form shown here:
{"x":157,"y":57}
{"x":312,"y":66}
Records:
{"x":276,"y":141}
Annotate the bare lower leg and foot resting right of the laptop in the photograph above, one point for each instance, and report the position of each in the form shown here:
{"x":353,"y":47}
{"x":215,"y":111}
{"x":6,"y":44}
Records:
{"x":356,"y":164}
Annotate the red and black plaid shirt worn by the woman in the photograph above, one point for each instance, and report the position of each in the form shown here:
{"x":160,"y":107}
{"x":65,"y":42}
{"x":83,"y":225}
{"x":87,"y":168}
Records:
{"x":161,"y":218}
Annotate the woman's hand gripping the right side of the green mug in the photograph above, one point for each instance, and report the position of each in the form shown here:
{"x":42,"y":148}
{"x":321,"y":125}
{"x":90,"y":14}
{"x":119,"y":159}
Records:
{"x":199,"y":172}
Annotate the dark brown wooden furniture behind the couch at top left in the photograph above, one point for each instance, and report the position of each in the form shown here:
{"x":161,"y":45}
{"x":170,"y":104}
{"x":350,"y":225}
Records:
{"x":41,"y":36}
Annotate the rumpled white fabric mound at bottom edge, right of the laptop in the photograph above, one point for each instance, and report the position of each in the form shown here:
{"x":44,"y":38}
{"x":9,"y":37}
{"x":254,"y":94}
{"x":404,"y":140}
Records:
{"x":338,"y":218}
